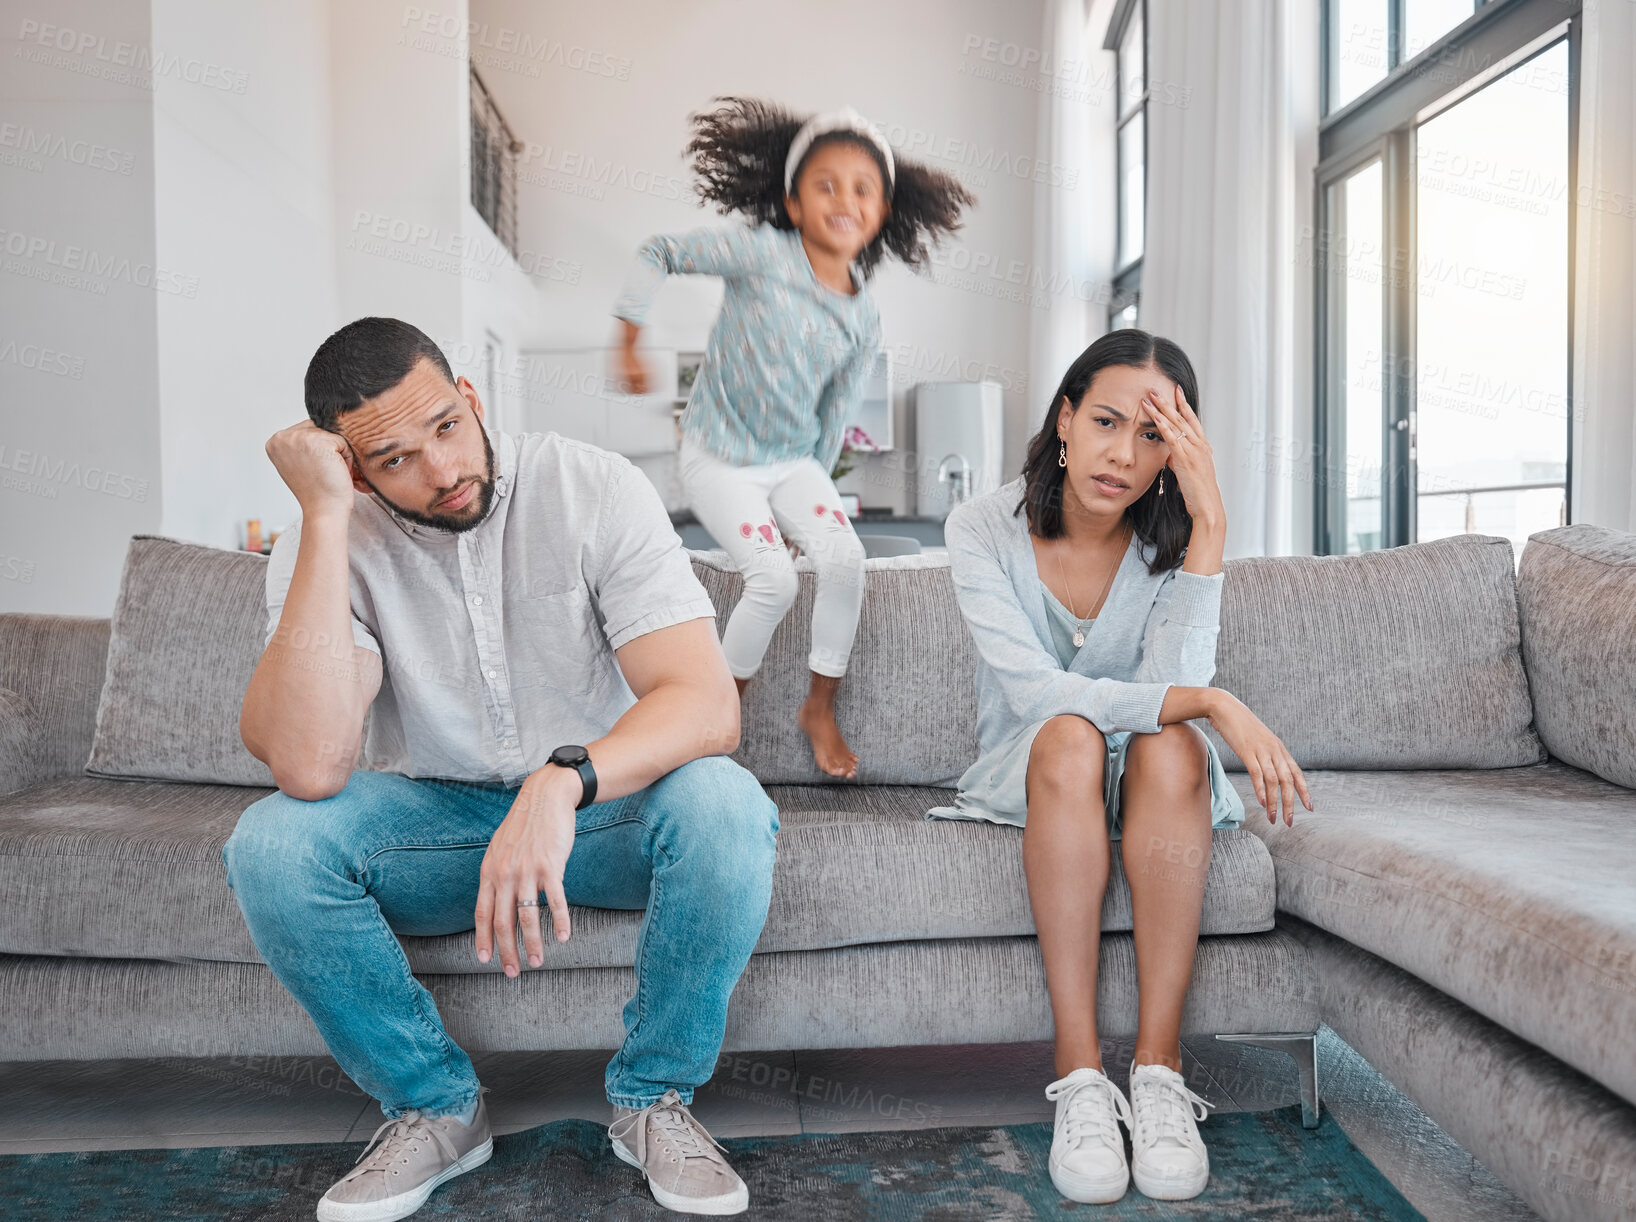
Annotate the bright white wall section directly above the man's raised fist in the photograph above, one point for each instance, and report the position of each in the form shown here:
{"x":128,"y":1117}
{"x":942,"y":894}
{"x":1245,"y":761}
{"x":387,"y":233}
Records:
{"x":245,"y":202}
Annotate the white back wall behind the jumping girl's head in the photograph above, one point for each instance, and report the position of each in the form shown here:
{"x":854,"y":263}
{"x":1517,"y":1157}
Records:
{"x":603,"y":94}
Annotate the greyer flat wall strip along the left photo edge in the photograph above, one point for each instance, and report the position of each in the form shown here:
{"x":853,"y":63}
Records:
{"x":79,"y":379}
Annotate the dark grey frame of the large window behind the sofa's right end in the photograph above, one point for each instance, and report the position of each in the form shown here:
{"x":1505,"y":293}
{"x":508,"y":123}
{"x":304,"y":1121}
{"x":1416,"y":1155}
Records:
{"x":1382,"y":122}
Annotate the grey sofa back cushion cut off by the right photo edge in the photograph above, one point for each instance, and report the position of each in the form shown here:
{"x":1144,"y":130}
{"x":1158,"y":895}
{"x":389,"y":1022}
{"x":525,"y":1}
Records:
{"x":1578,"y":598}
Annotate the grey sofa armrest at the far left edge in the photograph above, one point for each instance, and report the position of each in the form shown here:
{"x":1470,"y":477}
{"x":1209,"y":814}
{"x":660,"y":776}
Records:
{"x":55,"y":665}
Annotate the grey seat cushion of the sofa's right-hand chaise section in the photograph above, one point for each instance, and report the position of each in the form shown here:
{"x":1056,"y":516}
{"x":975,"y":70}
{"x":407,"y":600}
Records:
{"x":1512,"y":891}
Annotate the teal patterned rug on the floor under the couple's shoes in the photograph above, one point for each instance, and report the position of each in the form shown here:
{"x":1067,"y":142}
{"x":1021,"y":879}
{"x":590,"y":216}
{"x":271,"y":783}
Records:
{"x":1264,"y":1167}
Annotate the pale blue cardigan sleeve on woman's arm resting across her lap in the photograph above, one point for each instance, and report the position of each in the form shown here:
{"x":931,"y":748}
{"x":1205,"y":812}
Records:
{"x":1031,"y":680}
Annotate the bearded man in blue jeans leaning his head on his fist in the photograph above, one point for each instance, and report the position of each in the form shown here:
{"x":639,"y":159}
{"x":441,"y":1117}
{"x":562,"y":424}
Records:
{"x":549,"y":717}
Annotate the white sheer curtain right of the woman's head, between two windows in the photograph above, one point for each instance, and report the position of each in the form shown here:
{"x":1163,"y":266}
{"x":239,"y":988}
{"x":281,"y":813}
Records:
{"x":1220,"y":274}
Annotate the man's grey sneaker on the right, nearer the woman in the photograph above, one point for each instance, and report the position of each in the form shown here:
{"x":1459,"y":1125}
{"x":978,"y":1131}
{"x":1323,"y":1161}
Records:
{"x":685,"y":1166}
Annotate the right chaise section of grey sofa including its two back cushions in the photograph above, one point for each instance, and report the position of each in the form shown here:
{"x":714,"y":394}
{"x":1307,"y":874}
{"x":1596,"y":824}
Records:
{"x":1473,"y":930}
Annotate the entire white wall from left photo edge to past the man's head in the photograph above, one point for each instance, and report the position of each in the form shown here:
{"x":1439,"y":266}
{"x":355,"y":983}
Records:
{"x":287,"y":168}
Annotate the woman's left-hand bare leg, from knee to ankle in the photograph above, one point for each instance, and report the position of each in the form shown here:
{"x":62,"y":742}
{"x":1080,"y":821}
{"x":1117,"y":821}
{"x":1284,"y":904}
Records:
{"x":1066,"y":856}
